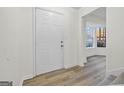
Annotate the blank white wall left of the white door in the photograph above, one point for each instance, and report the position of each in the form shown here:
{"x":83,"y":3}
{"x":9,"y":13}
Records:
{"x":16,"y":44}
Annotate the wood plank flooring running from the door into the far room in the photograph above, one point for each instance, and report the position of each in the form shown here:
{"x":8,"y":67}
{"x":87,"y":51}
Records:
{"x":91,"y":74}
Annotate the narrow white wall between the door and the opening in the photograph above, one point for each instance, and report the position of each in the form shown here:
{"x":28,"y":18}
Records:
{"x":71,"y":38}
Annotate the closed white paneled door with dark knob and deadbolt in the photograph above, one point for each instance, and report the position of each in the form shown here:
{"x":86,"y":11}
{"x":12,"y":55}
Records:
{"x":49,"y":38}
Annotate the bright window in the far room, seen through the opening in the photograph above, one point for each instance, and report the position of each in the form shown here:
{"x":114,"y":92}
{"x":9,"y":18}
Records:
{"x":95,"y":35}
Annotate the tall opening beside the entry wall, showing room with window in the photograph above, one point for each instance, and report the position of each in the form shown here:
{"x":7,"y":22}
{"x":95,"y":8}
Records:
{"x":94,"y":38}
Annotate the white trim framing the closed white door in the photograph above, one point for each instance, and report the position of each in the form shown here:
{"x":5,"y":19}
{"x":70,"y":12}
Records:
{"x":34,"y":36}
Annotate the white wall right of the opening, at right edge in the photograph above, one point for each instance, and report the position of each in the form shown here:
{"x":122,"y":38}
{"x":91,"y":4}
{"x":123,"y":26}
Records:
{"x":115,"y":39}
